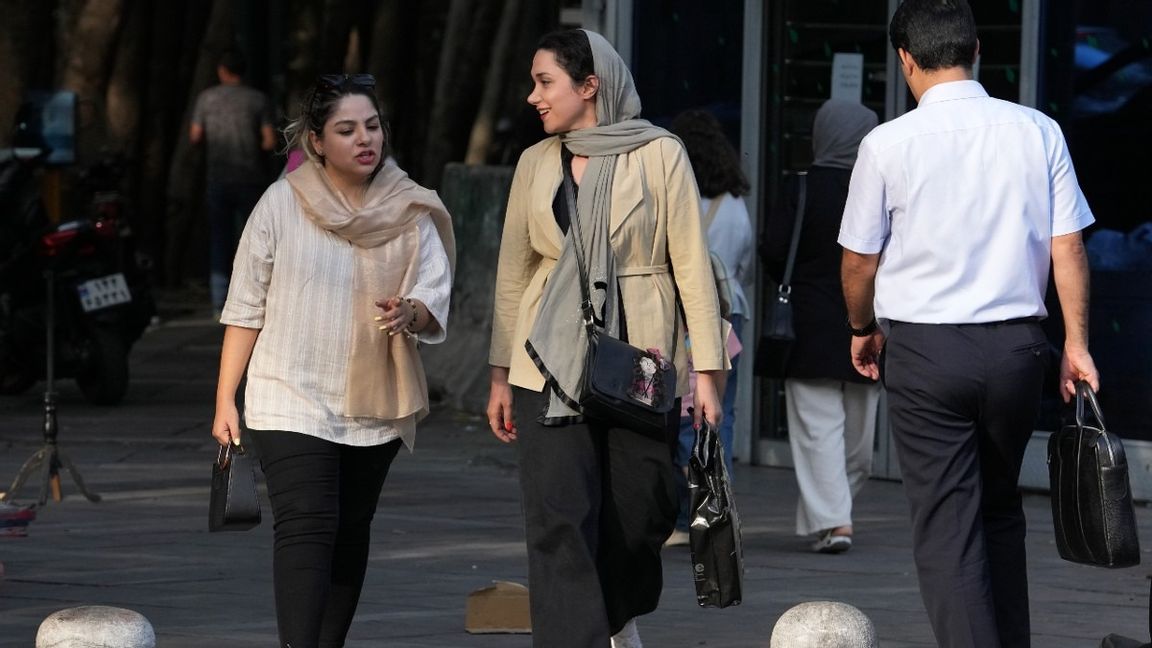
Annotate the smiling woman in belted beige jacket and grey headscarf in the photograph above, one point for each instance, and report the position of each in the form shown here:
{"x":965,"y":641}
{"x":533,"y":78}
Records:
{"x":600,"y":499}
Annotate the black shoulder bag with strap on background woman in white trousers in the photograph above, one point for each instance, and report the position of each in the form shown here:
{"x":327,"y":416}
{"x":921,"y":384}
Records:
{"x":778,"y":333}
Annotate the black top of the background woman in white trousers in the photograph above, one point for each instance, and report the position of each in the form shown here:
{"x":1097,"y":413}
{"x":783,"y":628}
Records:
{"x":823,"y":341}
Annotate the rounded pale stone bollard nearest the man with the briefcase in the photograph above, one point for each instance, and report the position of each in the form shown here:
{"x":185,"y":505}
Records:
{"x":824,"y":624}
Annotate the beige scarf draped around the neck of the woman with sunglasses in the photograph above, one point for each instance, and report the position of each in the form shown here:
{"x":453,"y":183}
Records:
{"x":385,"y":375}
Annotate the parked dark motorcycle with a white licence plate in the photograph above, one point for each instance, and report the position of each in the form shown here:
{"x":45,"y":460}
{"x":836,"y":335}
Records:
{"x":101,"y":299}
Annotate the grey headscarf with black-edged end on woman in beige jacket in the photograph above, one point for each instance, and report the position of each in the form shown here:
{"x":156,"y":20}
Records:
{"x":559,"y":340}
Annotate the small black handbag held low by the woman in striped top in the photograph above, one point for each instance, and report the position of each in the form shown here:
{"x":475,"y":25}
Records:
{"x":234,"y":504}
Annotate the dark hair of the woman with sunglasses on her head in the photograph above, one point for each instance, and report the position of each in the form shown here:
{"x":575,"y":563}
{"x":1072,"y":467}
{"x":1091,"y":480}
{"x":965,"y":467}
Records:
{"x":321,"y":103}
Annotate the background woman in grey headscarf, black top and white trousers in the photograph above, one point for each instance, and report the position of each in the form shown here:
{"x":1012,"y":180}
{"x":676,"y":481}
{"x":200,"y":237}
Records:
{"x":831,"y":408}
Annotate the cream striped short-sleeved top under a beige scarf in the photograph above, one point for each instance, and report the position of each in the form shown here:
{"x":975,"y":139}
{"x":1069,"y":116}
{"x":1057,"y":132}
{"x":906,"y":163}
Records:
{"x":292,"y":281}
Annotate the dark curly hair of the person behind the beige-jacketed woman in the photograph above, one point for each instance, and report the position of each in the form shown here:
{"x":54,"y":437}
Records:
{"x":715,"y":160}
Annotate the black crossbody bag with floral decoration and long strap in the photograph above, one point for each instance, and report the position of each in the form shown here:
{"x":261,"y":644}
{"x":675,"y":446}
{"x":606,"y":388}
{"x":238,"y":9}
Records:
{"x":623,"y":385}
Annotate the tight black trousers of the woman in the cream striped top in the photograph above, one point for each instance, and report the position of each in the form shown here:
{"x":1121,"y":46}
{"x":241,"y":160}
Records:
{"x":324,"y":496}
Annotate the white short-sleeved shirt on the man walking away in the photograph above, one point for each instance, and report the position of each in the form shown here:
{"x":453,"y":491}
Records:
{"x":961,"y":198}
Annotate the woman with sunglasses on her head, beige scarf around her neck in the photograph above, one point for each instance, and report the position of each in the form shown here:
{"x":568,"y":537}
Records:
{"x":343,"y":267}
